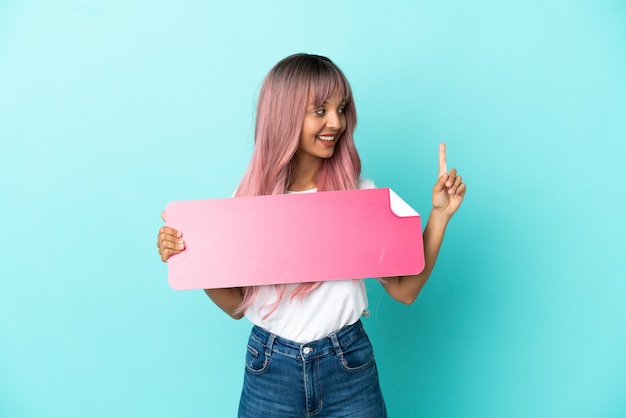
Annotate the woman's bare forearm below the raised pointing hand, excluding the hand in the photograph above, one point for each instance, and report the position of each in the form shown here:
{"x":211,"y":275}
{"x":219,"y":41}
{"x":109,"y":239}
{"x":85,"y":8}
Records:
{"x":406,"y":288}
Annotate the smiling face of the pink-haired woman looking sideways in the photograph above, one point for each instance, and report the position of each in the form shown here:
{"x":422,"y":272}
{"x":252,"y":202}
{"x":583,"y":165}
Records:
{"x":322,"y":127}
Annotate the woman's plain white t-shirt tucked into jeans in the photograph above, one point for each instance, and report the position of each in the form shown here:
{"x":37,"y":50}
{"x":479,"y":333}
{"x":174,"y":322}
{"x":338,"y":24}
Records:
{"x":328,"y":308}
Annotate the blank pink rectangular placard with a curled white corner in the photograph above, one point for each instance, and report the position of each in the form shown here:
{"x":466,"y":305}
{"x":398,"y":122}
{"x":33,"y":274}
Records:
{"x":293,"y":238}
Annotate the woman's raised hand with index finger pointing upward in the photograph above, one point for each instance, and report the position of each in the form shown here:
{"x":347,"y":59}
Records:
{"x":449,"y":191}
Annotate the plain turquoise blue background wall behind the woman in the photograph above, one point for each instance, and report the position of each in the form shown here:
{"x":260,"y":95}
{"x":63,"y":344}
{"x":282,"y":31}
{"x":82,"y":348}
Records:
{"x":111,"y":109}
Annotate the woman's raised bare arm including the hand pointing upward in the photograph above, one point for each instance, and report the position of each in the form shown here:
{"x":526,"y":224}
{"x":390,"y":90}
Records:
{"x":448,"y":194}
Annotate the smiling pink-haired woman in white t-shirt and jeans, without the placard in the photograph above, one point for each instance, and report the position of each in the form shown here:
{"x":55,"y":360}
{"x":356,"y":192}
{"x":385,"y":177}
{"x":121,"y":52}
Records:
{"x":308,"y":354}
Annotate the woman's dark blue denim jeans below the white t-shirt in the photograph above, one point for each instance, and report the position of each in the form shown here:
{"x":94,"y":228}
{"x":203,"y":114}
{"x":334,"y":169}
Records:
{"x":332,"y":377}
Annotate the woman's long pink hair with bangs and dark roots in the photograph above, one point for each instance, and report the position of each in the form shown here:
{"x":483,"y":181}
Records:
{"x":280,"y":113}
